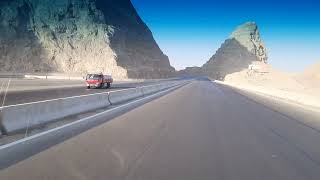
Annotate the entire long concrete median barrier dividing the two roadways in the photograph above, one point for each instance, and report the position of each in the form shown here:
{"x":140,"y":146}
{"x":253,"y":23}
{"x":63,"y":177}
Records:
{"x":16,"y":118}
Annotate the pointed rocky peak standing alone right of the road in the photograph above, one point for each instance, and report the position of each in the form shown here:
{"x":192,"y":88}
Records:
{"x":243,"y":48}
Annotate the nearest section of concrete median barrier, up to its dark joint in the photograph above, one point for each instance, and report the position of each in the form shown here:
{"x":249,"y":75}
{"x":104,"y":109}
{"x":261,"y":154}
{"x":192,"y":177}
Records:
{"x":19,"y":117}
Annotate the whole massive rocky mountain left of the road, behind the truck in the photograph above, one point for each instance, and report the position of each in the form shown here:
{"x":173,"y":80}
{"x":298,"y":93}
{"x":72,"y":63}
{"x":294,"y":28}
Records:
{"x":78,"y":36}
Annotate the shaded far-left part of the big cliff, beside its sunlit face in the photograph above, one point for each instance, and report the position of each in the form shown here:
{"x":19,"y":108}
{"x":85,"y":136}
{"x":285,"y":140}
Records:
{"x":20,"y":49}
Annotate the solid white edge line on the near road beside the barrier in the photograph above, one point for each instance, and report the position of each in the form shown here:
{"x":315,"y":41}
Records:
{"x":81,"y":120}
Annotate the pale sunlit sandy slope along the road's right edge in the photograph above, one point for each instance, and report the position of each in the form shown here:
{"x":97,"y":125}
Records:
{"x":301,"y":87}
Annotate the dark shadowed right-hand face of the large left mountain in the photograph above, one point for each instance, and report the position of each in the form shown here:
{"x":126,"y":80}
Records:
{"x":133,"y":42}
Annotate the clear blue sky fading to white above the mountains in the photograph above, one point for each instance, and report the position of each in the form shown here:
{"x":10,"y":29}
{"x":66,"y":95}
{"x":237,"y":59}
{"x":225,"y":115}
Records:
{"x":190,"y":31}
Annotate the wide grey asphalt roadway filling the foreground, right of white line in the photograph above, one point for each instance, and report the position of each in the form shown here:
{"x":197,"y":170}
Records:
{"x":201,"y":131}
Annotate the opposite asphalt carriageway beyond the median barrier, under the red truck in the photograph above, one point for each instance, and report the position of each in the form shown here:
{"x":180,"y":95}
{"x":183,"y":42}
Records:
{"x":25,"y":91}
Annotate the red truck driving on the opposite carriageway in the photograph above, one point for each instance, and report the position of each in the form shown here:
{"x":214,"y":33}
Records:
{"x":98,"y":81}
